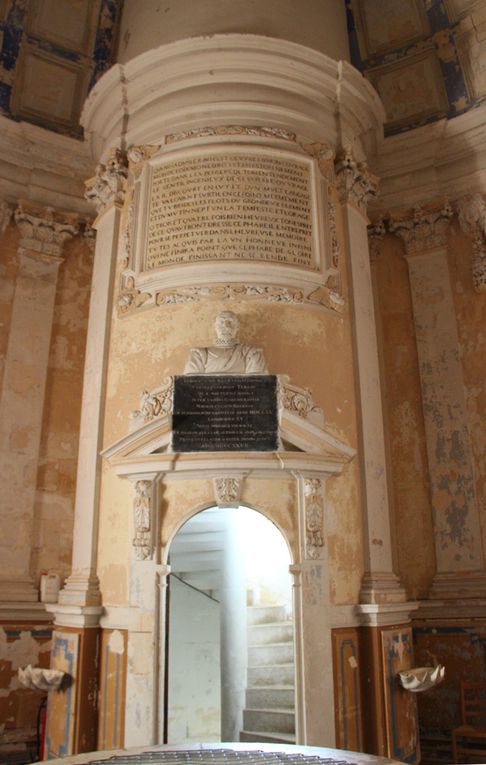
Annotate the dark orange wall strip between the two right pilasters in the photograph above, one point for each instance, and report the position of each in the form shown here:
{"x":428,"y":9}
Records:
{"x":409,"y":490}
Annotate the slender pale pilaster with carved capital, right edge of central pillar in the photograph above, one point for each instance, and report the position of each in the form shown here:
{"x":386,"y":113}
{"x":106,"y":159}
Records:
{"x":380,"y":585}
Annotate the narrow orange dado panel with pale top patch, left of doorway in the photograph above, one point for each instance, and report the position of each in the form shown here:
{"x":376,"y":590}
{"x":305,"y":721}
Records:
{"x":111,"y":727}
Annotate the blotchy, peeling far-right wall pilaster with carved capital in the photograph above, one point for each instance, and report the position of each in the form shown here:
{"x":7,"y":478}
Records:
{"x":459,"y":554}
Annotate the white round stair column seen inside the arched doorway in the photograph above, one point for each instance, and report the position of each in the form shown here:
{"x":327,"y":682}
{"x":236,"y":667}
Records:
{"x":233,"y":633}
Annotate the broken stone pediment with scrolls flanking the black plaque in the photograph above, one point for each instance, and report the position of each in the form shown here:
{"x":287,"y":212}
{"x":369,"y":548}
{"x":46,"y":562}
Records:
{"x":305,"y":443}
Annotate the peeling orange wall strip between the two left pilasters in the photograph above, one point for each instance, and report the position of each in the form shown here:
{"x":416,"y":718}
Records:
{"x":56,"y":476}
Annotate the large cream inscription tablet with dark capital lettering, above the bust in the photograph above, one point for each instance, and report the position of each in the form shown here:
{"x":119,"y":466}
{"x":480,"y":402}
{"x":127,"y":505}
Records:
{"x":249,"y":206}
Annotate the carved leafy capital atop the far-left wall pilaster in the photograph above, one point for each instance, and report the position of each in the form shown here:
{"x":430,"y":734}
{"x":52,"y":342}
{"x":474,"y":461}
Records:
{"x":44,"y":231}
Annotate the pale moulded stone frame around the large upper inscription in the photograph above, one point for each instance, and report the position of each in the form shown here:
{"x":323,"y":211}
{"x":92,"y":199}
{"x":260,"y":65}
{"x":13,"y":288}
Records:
{"x":240,"y":271}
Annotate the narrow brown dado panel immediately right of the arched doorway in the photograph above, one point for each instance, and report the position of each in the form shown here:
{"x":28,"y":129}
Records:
{"x":347,"y":689}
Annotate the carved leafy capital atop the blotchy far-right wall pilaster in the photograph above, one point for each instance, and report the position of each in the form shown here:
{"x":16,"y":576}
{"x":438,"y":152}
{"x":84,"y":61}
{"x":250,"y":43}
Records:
{"x":424,"y":229}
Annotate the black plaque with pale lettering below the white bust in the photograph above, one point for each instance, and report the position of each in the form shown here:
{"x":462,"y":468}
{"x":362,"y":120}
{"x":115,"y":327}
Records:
{"x":224,"y":413}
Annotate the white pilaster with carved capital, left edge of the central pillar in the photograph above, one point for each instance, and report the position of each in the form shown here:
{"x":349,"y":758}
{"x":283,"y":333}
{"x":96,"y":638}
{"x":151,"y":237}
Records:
{"x":81,"y":590}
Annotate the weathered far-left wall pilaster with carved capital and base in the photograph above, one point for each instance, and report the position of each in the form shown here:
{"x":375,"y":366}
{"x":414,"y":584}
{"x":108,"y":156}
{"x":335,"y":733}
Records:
{"x":43,"y":234}
